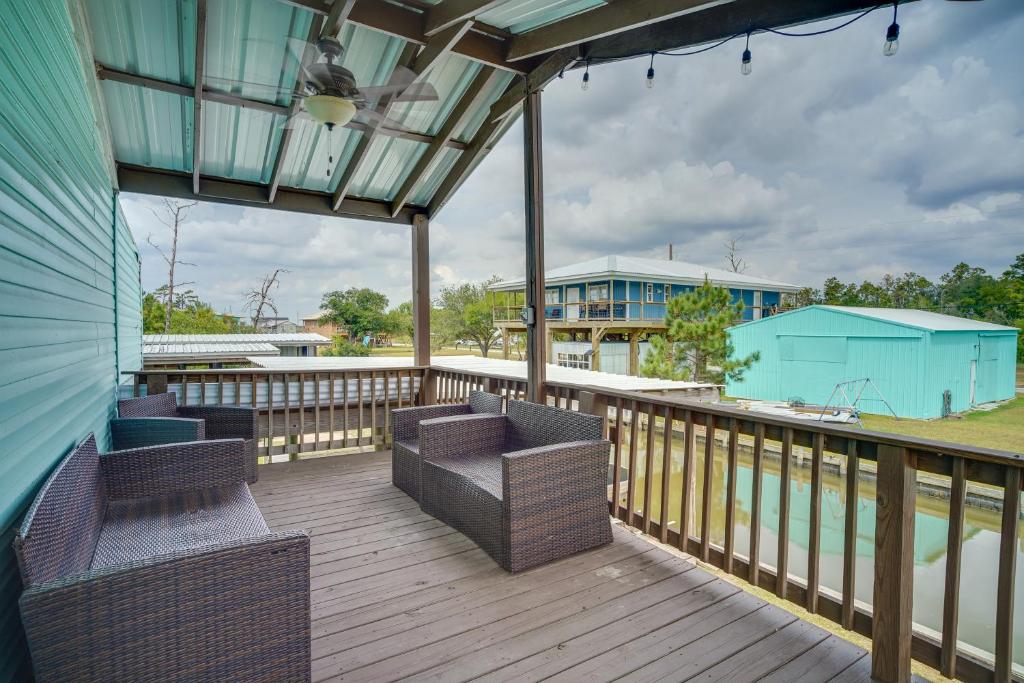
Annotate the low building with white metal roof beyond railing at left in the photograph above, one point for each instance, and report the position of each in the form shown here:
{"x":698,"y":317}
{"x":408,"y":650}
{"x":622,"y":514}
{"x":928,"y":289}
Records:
{"x":219,"y":351}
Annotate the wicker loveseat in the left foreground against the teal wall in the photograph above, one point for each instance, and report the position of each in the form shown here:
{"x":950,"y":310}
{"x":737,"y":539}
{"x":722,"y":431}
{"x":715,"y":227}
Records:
{"x":155,"y":565}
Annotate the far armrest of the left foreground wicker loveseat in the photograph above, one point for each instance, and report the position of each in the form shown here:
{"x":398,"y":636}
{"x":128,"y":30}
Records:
{"x":158,"y":471}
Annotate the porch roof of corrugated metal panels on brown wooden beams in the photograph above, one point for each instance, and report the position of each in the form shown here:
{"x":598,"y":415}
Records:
{"x":220,"y":137}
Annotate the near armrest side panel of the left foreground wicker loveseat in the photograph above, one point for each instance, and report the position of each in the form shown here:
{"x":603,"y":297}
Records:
{"x":119,"y":623}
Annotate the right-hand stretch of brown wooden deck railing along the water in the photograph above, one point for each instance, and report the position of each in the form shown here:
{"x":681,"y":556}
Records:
{"x":802,"y":451}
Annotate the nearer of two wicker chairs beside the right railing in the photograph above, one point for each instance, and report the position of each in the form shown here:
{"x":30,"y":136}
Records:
{"x":529,"y":488}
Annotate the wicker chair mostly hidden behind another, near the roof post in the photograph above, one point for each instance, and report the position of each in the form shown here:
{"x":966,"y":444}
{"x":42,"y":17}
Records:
{"x":406,"y":445}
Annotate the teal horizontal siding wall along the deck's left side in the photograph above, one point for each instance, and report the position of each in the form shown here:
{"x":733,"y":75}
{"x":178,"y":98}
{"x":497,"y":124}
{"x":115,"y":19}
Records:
{"x":63,"y":332}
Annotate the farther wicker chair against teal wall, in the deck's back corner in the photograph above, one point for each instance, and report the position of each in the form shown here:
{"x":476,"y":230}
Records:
{"x":158,"y":419}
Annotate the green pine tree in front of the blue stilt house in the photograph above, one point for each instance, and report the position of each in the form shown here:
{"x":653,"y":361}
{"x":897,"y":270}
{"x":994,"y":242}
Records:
{"x":697,"y":347}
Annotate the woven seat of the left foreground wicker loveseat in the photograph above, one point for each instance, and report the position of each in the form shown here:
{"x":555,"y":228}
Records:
{"x":136,"y":530}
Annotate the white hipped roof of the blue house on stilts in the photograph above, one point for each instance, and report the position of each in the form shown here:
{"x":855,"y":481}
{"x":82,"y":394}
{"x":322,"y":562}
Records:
{"x":650,"y":269}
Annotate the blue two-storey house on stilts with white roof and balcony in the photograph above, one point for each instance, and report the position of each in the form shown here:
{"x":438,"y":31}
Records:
{"x":613,"y":303}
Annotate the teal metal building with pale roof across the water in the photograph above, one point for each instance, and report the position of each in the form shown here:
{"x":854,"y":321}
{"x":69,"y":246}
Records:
{"x":913,"y":357}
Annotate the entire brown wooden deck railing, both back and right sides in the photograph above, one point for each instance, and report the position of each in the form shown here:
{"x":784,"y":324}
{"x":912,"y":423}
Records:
{"x":306,"y":412}
